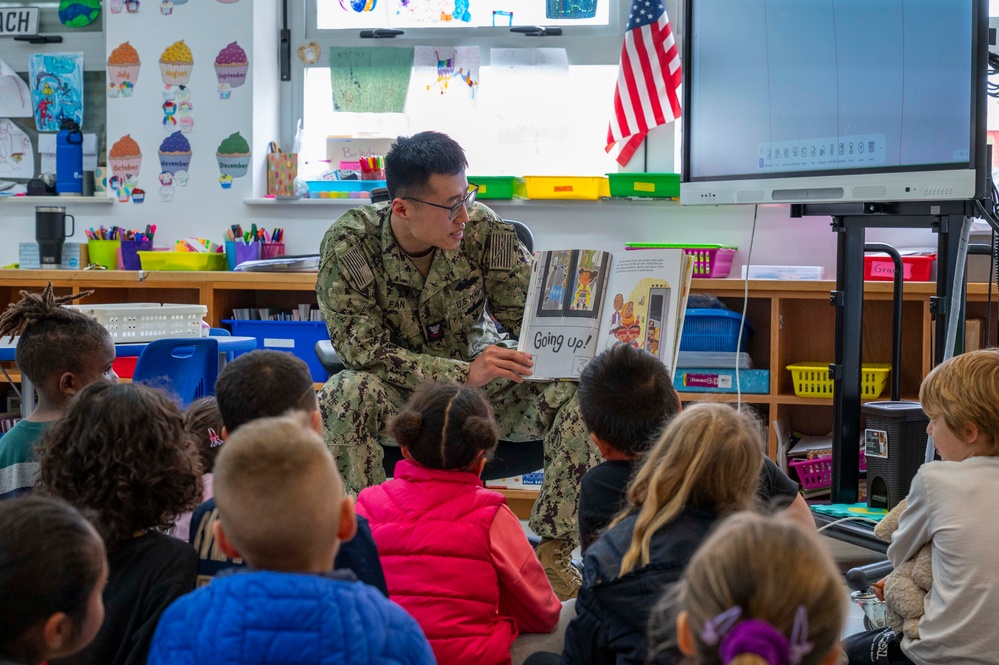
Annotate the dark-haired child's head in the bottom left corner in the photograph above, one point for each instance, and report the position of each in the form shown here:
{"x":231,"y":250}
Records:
{"x":52,"y":573}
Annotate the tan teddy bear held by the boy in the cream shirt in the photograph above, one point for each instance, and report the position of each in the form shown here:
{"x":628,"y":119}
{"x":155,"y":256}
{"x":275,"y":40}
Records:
{"x":908,"y":584}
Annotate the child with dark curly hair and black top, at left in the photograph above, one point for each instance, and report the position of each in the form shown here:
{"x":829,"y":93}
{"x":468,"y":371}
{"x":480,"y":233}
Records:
{"x":122,"y":456}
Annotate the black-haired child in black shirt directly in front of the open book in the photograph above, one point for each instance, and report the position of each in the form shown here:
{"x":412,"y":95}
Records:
{"x":626,"y":397}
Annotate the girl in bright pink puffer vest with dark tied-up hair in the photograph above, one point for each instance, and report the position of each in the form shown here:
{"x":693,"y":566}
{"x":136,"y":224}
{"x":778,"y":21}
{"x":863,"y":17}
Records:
{"x":455,"y":556}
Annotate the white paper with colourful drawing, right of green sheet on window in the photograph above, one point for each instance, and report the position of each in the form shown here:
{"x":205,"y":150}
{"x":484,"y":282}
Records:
{"x":446,"y":76}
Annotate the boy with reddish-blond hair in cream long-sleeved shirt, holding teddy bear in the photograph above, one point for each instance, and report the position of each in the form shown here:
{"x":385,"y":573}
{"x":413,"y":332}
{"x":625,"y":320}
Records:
{"x":950,"y":506}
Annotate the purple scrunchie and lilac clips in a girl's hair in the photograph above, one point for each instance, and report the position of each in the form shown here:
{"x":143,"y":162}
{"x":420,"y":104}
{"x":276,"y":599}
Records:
{"x":756,"y":636}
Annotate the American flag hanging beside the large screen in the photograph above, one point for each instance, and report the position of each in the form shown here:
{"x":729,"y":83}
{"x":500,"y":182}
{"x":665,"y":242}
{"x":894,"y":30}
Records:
{"x":648,"y":82}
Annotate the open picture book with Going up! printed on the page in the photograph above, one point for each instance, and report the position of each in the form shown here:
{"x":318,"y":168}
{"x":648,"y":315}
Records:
{"x":582,"y":301}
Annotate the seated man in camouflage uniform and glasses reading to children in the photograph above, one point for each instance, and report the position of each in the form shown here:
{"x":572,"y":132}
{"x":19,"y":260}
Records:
{"x":403,"y":287}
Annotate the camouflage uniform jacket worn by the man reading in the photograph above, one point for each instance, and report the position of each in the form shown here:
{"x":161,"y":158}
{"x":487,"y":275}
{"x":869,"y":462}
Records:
{"x":384,"y":318}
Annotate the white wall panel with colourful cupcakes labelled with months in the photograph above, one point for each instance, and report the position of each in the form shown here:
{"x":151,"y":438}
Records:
{"x":179,"y":103}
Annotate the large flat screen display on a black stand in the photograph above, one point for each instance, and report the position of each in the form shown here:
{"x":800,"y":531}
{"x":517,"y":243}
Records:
{"x":805,"y":101}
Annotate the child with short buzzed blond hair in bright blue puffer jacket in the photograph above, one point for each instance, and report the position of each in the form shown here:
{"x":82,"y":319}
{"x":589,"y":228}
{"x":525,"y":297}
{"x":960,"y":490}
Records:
{"x":283,"y":510}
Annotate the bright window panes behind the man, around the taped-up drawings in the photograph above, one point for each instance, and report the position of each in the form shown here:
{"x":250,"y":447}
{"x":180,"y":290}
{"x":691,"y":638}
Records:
{"x":551,"y":122}
